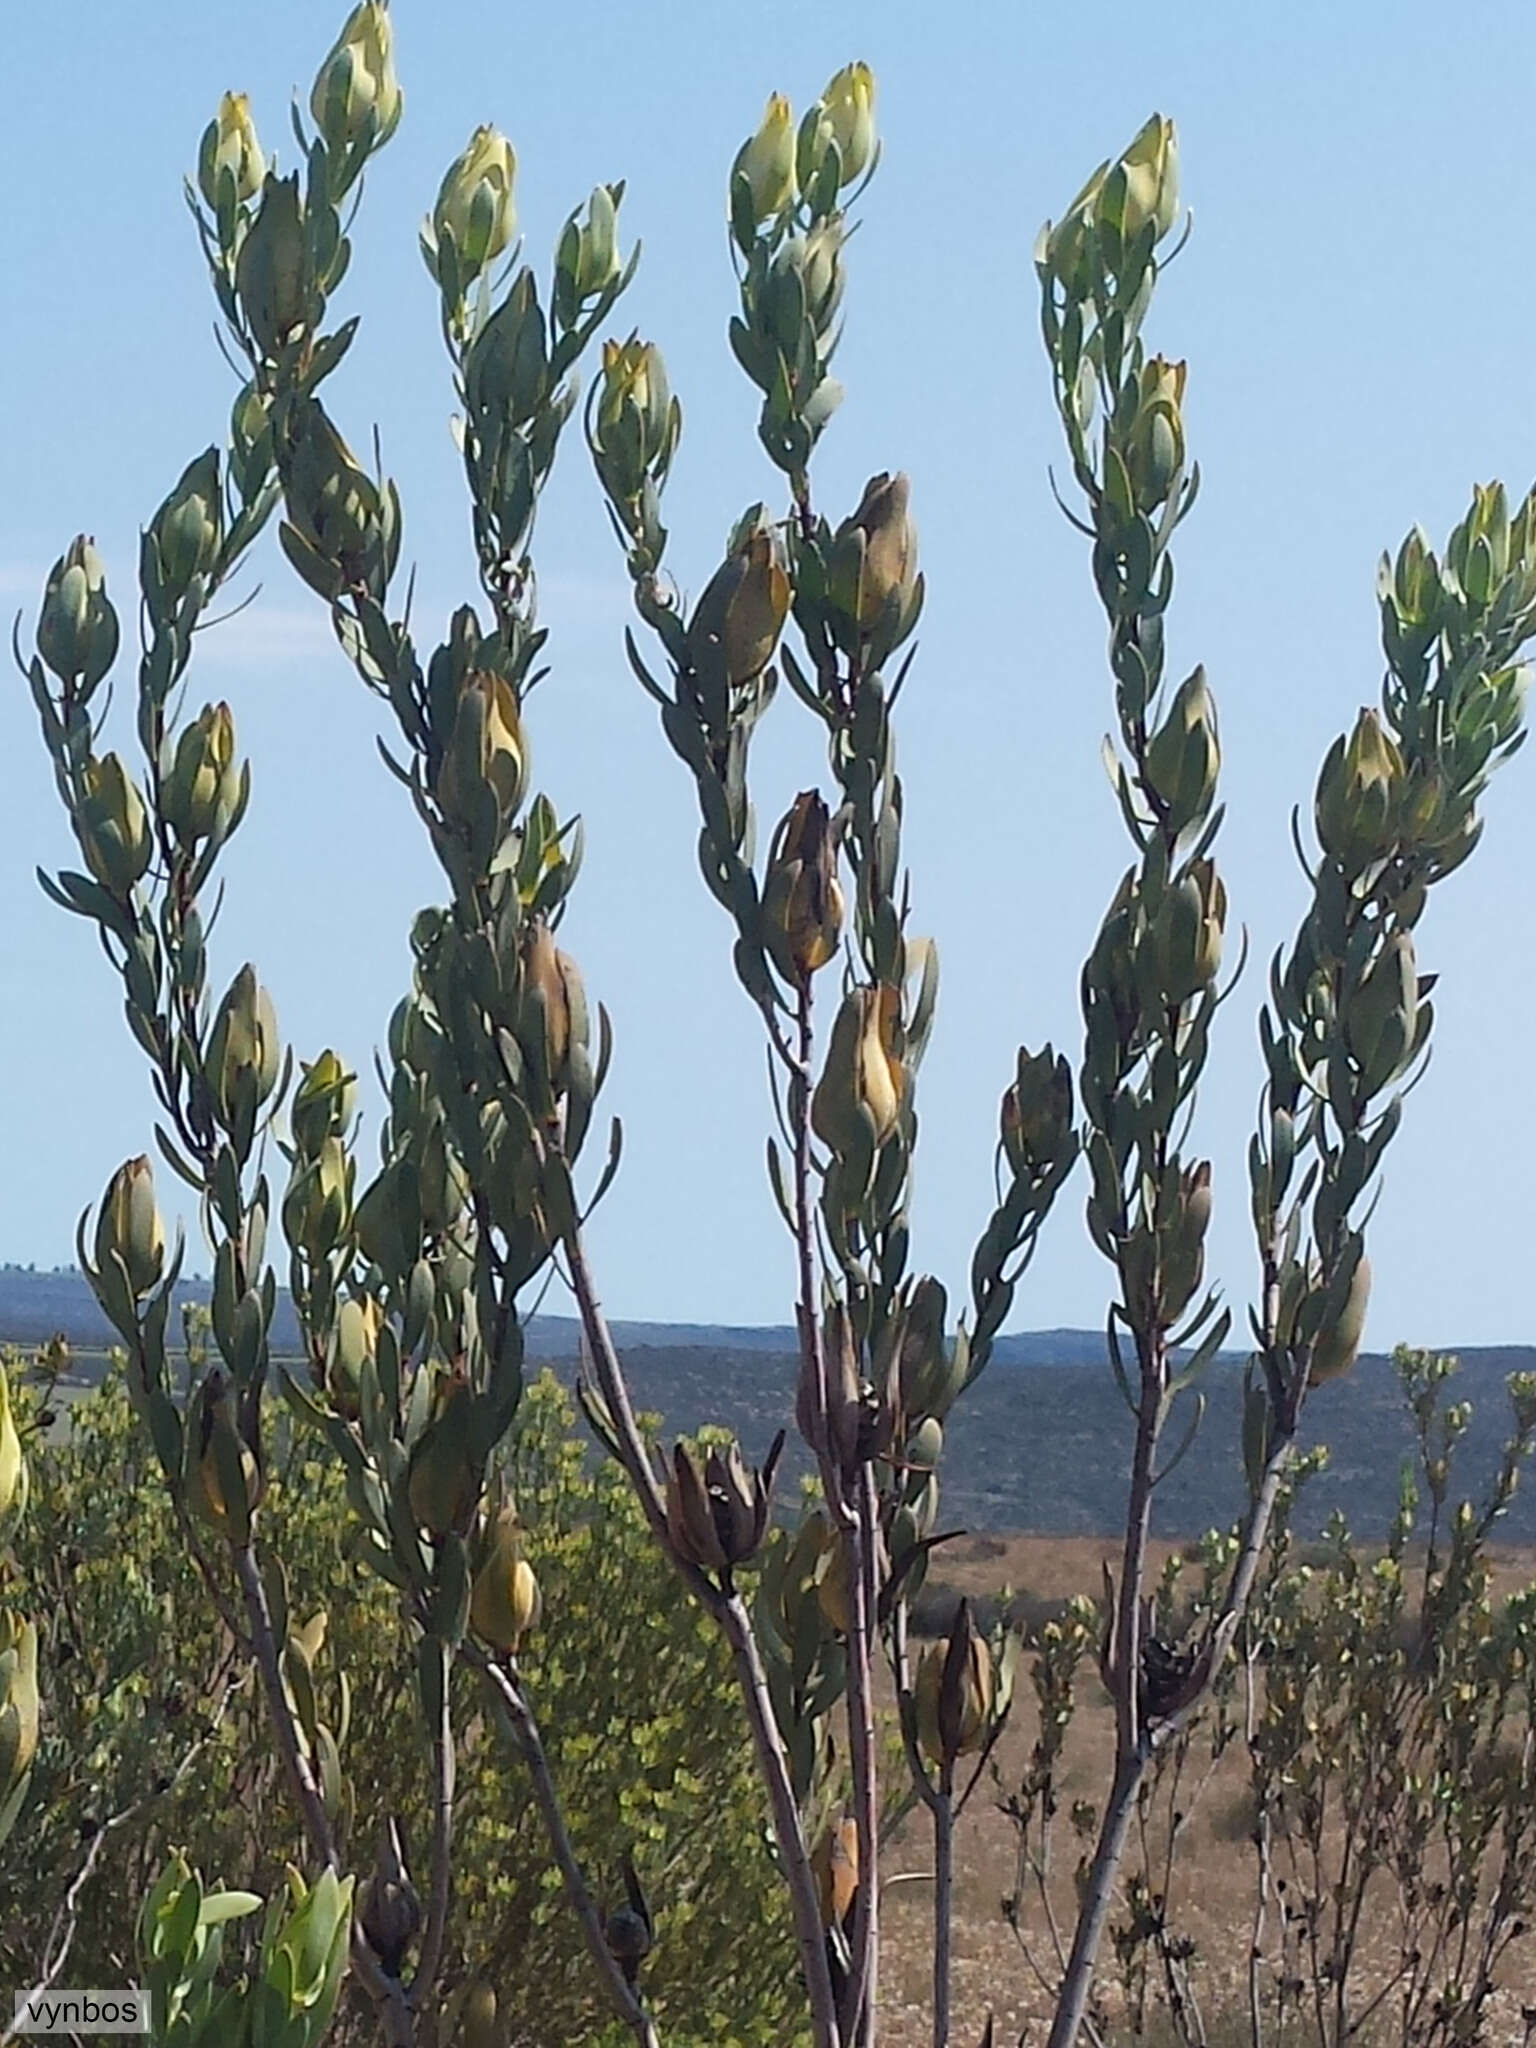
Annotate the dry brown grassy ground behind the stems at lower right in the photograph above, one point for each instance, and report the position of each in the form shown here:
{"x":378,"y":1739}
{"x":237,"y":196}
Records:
{"x":1213,"y":1891}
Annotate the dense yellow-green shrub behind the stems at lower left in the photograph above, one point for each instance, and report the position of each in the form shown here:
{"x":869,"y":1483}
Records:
{"x":630,"y":1678}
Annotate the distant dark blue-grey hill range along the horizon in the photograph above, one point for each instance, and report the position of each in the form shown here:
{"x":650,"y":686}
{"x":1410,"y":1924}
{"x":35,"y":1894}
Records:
{"x":1039,"y":1449}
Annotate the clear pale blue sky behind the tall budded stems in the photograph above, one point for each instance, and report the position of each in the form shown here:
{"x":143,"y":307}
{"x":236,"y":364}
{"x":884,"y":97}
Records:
{"x":1359,"y":308}
